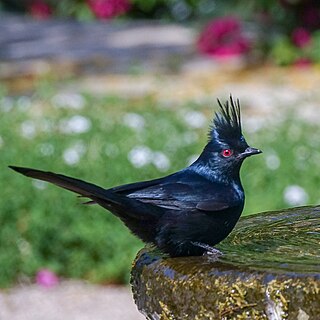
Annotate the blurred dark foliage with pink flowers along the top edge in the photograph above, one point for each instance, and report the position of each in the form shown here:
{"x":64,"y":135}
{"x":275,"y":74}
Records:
{"x":270,"y":26}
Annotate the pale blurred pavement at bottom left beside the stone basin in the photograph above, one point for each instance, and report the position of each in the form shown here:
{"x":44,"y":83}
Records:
{"x":72,"y":300}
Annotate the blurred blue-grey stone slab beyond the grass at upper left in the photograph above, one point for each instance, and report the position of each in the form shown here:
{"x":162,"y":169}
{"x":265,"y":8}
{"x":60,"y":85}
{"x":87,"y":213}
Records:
{"x":29,"y":45}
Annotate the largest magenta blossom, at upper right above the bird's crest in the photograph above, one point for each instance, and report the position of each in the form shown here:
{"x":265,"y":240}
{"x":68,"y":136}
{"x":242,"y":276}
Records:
{"x":223,"y":37}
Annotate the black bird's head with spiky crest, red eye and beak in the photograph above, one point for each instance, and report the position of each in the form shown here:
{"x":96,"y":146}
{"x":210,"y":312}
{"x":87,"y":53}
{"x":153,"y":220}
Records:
{"x":227,"y":147}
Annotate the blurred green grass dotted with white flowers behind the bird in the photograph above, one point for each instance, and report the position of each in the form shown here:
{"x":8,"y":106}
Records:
{"x":45,"y":227}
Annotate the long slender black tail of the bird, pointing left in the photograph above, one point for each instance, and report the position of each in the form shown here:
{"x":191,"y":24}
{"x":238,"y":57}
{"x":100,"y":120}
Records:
{"x":118,"y":204}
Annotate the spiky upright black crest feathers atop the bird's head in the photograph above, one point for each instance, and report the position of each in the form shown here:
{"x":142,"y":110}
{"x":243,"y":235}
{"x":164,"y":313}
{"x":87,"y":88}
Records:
{"x":227,"y":121}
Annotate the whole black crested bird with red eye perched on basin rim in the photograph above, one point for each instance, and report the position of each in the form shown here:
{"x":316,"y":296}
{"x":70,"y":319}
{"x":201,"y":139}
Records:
{"x":189,"y":211}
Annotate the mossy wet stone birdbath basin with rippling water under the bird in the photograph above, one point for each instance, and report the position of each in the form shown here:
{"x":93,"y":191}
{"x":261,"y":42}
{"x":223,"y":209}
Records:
{"x":270,"y":269}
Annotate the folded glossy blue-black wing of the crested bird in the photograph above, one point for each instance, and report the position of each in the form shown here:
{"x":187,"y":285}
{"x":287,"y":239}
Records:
{"x":182,"y":191}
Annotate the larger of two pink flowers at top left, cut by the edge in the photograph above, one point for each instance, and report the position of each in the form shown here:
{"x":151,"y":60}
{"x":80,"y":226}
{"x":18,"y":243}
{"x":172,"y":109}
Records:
{"x":106,"y":9}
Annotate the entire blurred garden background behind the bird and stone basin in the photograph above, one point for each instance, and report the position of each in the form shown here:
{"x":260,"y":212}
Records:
{"x":116,"y":91}
